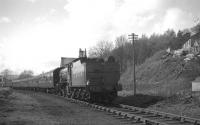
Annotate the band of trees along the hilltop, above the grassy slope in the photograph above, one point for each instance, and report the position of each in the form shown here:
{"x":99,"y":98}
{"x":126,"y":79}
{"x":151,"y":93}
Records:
{"x":145,"y":47}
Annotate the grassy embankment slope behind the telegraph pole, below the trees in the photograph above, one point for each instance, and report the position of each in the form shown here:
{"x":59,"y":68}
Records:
{"x":163,"y":75}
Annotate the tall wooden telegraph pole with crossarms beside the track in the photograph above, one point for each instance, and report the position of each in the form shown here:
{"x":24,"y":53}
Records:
{"x":133,"y":37}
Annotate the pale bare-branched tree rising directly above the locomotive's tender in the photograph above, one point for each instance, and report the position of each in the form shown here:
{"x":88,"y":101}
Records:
{"x":102,"y":49}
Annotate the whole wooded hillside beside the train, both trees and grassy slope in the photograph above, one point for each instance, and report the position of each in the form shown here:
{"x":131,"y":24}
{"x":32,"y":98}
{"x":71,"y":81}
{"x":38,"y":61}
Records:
{"x":156,"y":73}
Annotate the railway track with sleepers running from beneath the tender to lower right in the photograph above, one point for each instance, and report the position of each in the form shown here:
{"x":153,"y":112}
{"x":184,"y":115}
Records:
{"x":140,"y":116}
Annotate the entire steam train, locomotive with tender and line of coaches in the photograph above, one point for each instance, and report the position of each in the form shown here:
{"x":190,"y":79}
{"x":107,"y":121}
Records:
{"x":91,"y":79}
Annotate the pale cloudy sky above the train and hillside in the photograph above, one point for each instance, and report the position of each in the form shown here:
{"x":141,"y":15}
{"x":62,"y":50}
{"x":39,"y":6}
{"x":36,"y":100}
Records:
{"x":34,"y":34}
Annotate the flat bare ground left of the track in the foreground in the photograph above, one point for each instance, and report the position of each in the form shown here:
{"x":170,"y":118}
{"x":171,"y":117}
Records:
{"x":28,"y":108}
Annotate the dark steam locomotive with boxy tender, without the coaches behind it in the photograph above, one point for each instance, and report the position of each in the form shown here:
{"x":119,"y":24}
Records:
{"x":90,"y":78}
